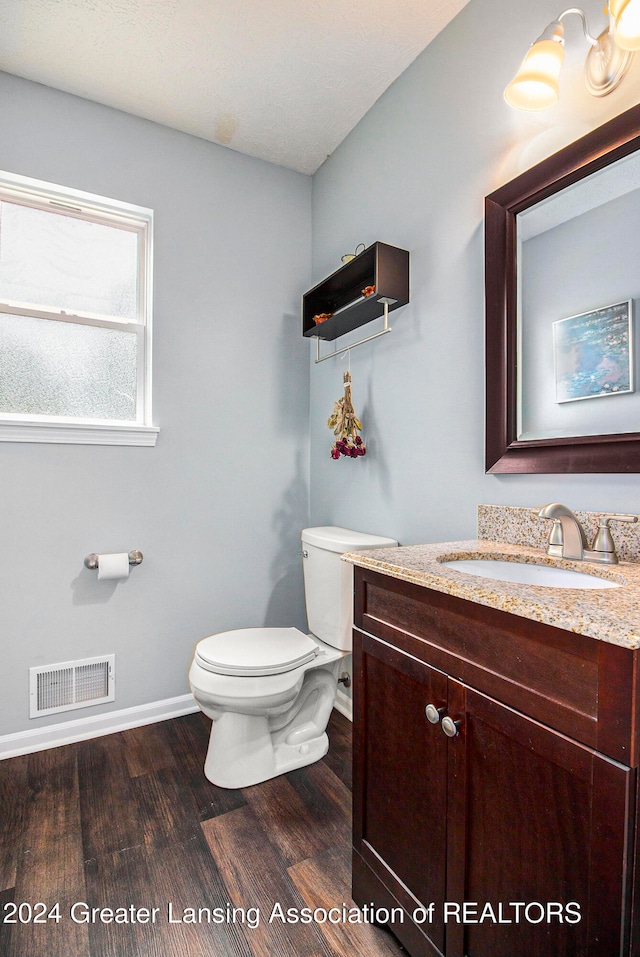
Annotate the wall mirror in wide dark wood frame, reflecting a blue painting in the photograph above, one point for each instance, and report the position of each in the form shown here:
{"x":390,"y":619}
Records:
{"x":562,"y":283}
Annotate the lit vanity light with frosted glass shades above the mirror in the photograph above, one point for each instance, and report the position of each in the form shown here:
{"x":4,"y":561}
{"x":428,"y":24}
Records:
{"x":535,"y":85}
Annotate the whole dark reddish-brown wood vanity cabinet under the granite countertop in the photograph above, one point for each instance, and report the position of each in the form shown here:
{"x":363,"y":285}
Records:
{"x":527,"y":814}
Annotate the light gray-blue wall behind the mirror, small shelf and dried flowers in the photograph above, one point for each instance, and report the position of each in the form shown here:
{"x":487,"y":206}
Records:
{"x":414,"y":173}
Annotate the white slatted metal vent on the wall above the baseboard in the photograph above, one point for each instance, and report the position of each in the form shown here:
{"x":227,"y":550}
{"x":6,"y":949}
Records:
{"x":71,"y":684}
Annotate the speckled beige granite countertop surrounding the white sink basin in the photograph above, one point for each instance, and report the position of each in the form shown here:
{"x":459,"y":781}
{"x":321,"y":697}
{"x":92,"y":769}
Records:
{"x":609,"y":614}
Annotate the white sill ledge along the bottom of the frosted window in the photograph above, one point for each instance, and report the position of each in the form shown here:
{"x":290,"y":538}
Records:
{"x":74,"y":433}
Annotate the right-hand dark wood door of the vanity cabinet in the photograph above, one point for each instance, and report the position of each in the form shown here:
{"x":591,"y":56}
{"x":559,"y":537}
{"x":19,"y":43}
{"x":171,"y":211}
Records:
{"x":537,"y":819}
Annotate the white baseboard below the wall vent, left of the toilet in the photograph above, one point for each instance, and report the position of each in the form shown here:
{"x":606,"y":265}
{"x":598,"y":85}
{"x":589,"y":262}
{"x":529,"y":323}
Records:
{"x":68,"y":732}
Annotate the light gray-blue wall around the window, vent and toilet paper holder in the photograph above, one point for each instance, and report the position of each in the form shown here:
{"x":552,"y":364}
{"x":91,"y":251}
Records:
{"x":218,"y":504}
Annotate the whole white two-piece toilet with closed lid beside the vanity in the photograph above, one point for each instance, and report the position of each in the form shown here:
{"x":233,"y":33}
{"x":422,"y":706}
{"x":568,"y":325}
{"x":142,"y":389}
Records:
{"x":270,"y":691}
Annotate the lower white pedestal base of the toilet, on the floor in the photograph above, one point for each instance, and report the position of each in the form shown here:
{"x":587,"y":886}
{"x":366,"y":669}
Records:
{"x":242,"y":753}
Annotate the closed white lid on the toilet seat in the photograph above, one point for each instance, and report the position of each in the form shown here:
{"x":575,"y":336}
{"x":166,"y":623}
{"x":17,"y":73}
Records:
{"x":255,"y":651}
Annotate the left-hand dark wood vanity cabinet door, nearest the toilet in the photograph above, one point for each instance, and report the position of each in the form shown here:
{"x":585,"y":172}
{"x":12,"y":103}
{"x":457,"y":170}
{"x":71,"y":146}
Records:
{"x":400,"y":784}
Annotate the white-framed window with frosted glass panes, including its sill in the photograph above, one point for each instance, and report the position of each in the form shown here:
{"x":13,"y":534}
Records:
{"x":75,"y":316}
